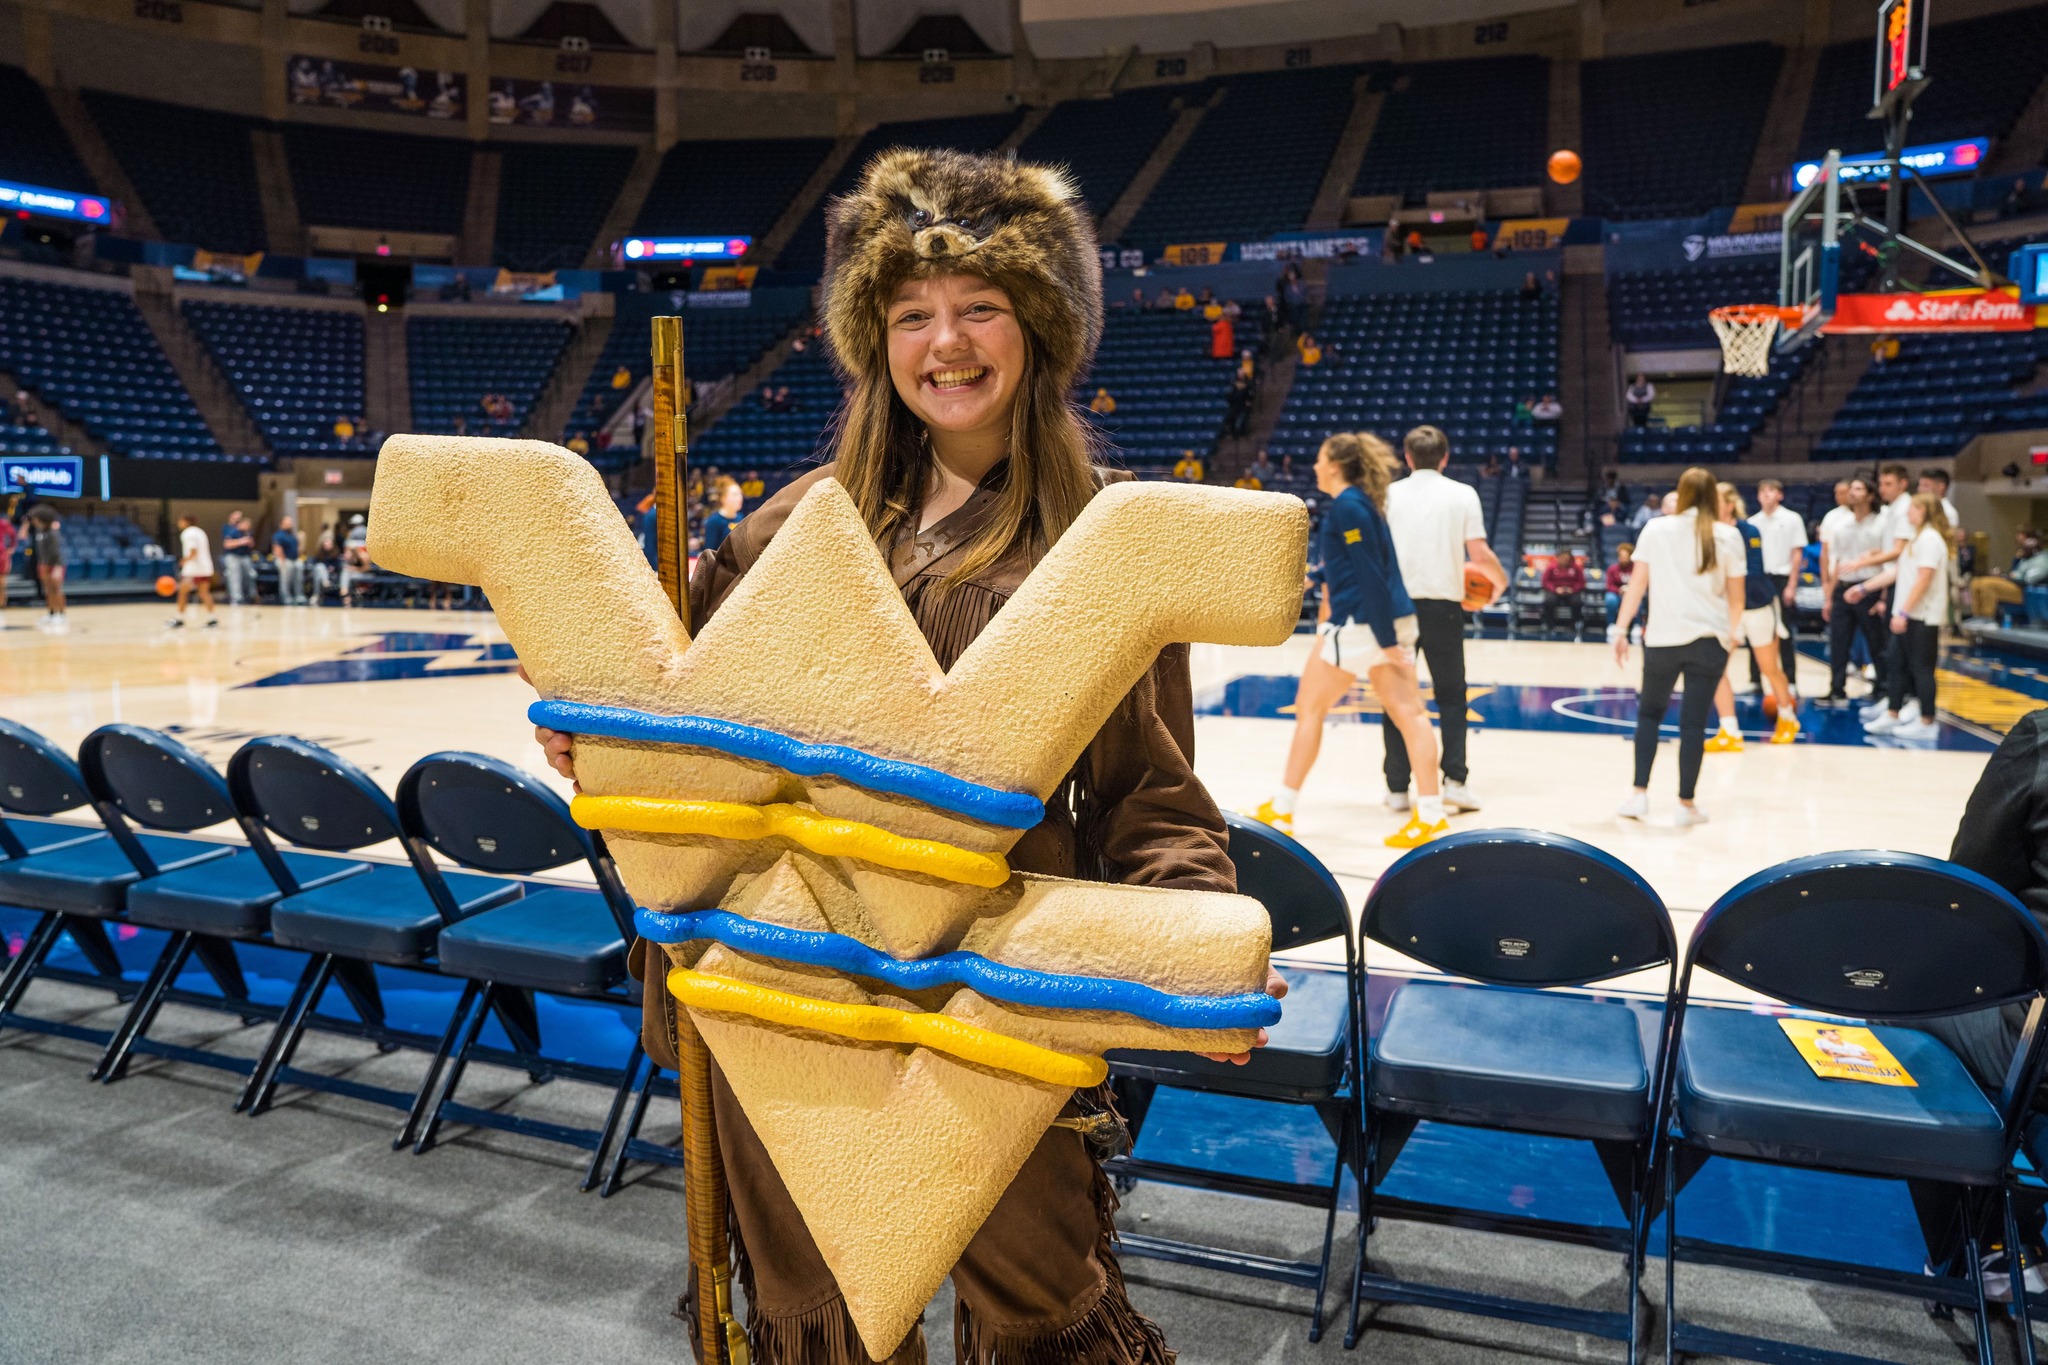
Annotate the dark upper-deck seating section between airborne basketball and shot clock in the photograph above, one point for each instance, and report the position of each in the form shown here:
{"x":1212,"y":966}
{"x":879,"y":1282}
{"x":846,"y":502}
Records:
{"x":1674,"y":134}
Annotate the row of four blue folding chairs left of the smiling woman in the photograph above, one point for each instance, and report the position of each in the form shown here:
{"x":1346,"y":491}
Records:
{"x":296,"y":885}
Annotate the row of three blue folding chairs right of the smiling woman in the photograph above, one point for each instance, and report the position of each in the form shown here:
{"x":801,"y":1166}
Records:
{"x":1521,"y":1037}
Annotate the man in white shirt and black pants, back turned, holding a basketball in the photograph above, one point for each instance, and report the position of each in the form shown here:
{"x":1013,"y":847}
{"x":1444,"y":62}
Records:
{"x":1439,"y":529}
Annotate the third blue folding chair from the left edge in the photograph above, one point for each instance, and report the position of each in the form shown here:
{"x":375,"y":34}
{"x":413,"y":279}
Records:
{"x":386,"y":916}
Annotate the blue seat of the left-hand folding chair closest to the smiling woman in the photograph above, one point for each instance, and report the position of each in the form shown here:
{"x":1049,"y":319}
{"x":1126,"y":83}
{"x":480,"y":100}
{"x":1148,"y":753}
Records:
{"x":552,"y":940}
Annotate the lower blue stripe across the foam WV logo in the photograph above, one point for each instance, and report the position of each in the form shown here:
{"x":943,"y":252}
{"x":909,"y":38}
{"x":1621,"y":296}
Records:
{"x":962,"y":969}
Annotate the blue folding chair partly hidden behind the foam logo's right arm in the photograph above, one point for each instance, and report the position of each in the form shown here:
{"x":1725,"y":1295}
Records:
{"x":1312,"y":1059}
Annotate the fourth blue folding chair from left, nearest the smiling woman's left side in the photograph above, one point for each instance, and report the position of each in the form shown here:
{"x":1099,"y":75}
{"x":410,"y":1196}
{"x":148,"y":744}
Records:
{"x":484,"y":813}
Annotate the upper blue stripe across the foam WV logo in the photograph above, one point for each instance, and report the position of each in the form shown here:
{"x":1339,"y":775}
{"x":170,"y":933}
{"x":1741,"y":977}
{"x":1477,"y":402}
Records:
{"x":746,"y":742}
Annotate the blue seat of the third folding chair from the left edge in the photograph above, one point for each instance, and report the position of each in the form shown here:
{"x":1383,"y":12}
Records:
{"x":382,"y":916}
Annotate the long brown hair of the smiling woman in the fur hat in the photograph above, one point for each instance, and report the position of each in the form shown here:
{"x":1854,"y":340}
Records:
{"x":884,"y":461}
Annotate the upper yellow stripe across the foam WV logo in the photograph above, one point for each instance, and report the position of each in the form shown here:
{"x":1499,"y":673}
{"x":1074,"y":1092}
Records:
{"x":822,"y":834}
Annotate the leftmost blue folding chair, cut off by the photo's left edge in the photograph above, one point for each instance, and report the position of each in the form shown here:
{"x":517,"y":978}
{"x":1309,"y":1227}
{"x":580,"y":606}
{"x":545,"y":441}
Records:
{"x":77,"y":879}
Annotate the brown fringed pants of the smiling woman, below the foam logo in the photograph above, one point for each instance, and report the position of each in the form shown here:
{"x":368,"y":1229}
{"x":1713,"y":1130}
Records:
{"x":1037,"y":1286}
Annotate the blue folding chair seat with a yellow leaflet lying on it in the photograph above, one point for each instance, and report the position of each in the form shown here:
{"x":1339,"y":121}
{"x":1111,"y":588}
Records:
{"x":1746,"y":1092}
